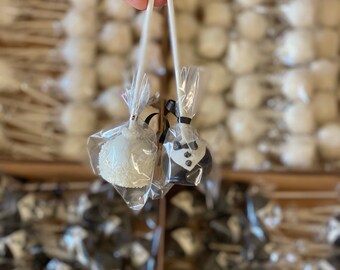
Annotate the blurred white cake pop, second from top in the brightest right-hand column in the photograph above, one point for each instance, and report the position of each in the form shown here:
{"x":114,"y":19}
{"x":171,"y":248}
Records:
{"x":297,"y":47}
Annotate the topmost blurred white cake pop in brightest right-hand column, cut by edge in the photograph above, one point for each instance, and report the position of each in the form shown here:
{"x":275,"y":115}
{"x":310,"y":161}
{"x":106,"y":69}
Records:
{"x":300,"y":13}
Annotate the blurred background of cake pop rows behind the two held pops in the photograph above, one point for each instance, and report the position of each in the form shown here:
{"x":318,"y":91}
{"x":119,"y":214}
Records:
{"x":270,"y":114}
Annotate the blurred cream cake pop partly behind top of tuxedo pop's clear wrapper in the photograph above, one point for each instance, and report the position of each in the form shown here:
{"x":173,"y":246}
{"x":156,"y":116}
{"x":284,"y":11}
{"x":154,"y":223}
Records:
{"x":219,"y":78}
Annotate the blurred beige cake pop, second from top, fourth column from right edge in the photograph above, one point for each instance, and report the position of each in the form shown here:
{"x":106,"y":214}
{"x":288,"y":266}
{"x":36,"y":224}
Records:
{"x":212,"y":42}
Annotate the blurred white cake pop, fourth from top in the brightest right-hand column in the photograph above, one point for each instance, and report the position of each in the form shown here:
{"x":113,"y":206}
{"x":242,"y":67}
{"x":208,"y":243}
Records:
{"x":299,"y":118}
